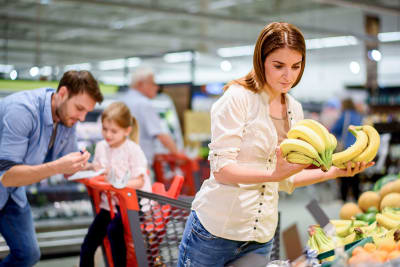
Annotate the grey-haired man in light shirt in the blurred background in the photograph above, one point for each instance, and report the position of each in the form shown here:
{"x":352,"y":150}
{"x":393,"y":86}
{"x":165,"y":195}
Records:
{"x":143,"y":88}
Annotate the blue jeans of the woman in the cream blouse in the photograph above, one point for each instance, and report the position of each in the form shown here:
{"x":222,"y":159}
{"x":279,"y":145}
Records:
{"x":199,"y":248}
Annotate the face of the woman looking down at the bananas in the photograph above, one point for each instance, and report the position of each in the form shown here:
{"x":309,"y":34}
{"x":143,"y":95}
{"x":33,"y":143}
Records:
{"x":282,"y":67}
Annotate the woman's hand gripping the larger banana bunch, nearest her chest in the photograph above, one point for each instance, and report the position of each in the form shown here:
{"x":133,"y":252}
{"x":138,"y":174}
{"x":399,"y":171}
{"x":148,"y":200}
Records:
{"x":285,"y":169}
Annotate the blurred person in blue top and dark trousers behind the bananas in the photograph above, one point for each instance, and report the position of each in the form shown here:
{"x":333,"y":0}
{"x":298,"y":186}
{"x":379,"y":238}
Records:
{"x":349,"y":116}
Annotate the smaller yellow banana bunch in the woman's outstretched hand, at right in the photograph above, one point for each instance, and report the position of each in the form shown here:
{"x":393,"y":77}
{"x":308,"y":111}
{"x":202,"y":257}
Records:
{"x":364,"y":148}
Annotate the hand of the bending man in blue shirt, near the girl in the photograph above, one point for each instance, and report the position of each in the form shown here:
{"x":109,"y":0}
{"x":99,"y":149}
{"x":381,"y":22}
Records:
{"x":72,"y":163}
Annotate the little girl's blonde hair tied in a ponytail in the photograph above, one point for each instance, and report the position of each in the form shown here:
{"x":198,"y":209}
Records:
{"x":120,"y":114}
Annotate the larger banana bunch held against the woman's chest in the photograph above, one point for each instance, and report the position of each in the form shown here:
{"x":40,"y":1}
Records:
{"x":309,"y":142}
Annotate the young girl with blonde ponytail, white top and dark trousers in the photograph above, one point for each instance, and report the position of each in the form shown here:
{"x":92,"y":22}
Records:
{"x":120,"y":155}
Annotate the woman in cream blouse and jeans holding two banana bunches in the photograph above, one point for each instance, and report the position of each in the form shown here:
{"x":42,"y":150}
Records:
{"x":236,"y":210}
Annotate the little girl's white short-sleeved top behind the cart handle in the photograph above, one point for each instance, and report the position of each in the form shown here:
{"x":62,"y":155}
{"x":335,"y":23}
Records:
{"x":128,"y":156}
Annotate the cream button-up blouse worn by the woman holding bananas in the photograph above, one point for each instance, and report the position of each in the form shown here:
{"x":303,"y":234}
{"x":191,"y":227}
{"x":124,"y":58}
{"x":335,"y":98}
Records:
{"x":242,"y":132}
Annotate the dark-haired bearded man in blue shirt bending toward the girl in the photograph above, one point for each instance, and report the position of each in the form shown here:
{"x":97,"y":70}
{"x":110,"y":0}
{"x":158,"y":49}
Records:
{"x":37,"y":140}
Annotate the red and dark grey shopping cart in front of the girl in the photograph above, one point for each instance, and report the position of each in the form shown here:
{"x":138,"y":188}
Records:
{"x":153,"y":223}
